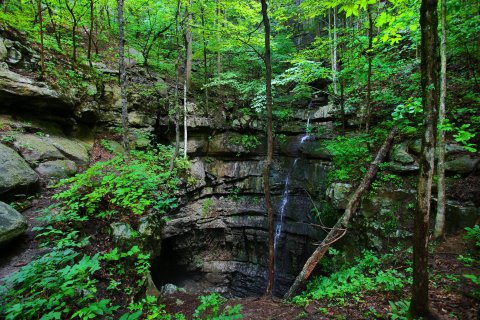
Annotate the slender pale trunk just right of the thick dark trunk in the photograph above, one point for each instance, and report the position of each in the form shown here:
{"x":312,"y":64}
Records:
{"x":440,"y":218}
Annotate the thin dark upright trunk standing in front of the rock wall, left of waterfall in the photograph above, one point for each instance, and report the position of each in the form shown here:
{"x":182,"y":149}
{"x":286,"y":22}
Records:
{"x":268,"y":164}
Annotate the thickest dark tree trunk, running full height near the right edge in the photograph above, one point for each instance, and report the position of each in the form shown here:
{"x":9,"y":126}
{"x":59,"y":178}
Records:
{"x":419,"y":306}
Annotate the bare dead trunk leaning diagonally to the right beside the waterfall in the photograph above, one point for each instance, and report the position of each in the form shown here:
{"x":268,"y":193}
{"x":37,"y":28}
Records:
{"x":340,"y":227}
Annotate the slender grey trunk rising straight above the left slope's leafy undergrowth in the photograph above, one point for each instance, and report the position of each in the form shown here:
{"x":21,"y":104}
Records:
{"x":123,"y":76}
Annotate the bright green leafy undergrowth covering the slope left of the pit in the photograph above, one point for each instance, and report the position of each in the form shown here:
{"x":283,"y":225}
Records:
{"x":88,"y":272}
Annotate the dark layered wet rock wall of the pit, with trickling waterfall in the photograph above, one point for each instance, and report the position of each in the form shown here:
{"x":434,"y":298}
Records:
{"x":218,"y":241}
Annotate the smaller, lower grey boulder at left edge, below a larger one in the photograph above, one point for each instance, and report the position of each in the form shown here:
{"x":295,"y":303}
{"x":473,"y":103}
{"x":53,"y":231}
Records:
{"x":12,"y":223}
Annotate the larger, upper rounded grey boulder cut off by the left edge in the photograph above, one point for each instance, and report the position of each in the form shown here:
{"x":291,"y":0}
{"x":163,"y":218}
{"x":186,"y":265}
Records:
{"x":15,"y":173}
